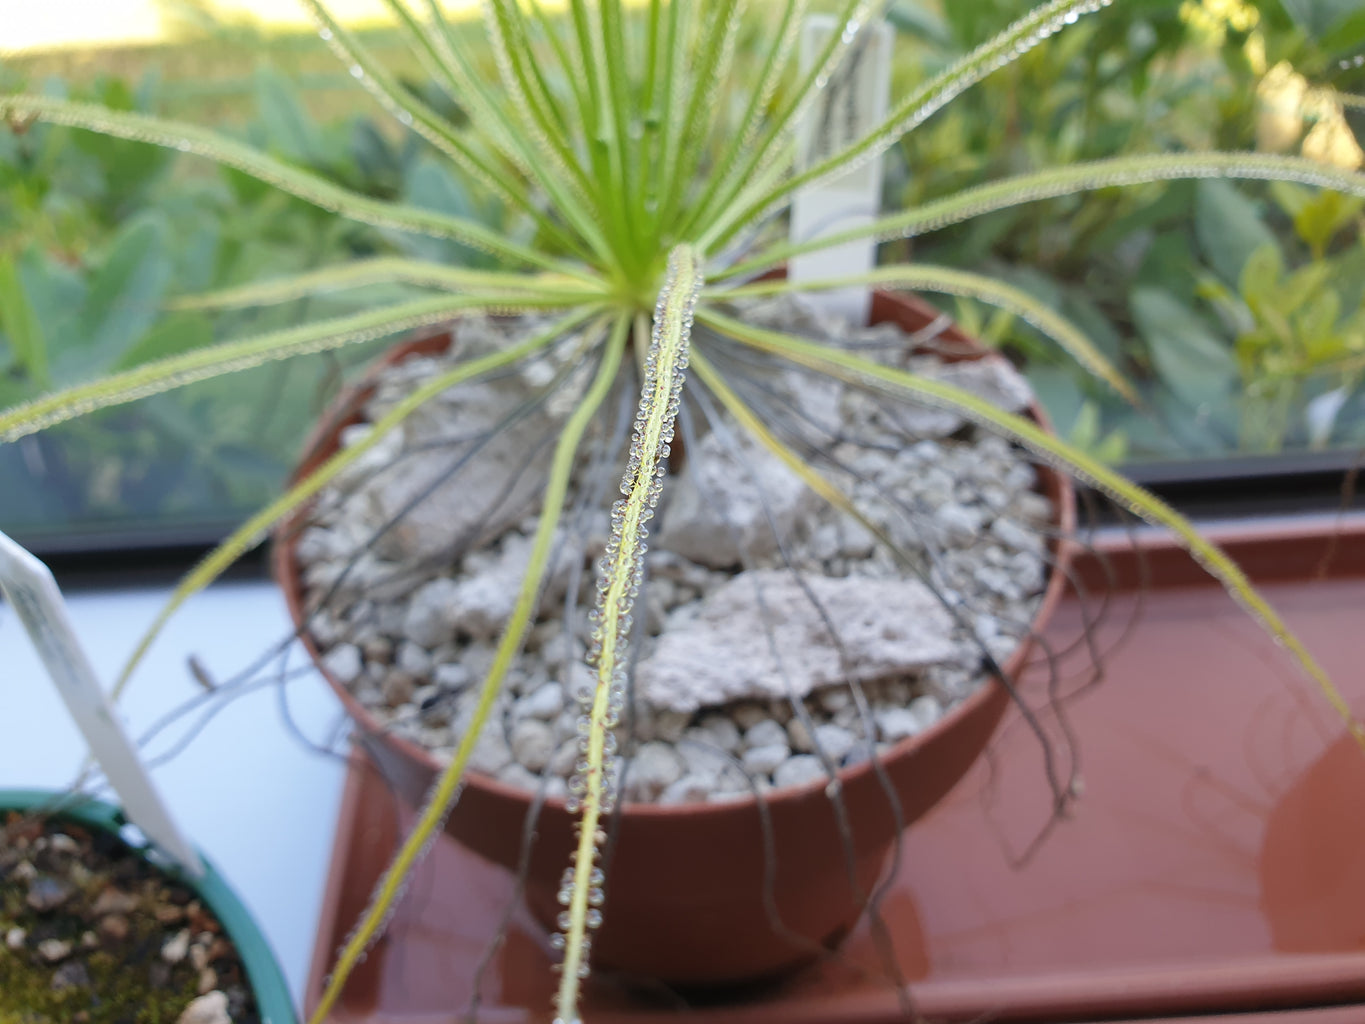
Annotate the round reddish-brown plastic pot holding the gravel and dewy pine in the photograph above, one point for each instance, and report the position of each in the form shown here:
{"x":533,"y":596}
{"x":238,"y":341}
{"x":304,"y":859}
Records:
{"x":691,"y":890}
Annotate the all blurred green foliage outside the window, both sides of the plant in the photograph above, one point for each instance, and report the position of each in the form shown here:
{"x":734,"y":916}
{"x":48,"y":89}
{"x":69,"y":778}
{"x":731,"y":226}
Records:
{"x":1235,"y":309}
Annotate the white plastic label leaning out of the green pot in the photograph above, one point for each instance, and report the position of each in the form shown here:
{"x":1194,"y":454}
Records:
{"x":36,"y":600}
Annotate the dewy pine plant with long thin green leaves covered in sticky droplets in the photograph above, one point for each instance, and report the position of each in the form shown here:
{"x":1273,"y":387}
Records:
{"x":656,"y":167}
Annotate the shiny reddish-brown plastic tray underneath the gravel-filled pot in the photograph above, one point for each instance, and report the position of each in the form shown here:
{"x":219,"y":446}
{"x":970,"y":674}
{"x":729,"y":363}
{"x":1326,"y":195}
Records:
{"x":1214,"y":864}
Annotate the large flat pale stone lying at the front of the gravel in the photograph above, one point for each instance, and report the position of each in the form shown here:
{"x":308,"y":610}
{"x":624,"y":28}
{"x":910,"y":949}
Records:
{"x":885,"y":627}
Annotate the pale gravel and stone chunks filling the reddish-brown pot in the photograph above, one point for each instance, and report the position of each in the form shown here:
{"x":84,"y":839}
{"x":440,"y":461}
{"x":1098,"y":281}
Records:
{"x":732,"y":634}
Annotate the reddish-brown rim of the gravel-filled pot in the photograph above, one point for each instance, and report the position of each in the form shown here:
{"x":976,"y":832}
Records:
{"x":346,"y":410}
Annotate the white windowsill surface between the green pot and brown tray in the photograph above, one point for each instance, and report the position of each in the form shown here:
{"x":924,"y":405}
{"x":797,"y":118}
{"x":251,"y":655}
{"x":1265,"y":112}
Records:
{"x":245,"y":790}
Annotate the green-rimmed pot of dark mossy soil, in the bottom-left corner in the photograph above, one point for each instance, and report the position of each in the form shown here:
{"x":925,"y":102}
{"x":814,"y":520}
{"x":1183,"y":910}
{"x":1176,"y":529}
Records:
{"x":94,"y":932}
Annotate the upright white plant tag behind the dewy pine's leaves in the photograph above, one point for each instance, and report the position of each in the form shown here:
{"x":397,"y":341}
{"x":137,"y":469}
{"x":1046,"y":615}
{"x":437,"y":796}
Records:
{"x":851,"y":104}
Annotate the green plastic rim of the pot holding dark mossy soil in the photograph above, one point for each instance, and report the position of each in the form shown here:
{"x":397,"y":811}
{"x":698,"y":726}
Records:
{"x":272,"y":995}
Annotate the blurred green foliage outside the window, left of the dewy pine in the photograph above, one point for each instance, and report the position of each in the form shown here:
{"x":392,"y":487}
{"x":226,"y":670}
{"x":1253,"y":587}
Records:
{"x":102,"y":242}
